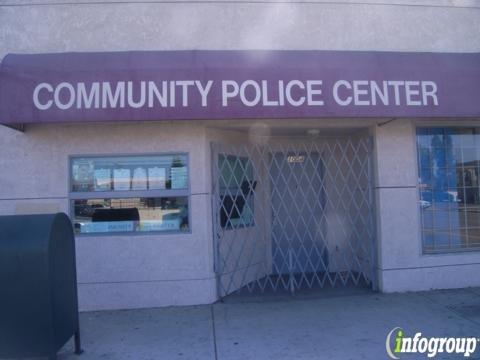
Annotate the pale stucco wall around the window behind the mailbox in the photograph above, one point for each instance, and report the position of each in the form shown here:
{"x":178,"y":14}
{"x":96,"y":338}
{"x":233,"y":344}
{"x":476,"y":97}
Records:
{"x":116,"y":271}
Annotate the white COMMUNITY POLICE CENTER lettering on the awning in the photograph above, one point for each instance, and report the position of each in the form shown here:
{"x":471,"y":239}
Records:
{"x":248,"y":93}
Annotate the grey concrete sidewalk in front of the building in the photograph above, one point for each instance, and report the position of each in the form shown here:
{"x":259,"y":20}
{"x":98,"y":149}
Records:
{"x":343,"y":327}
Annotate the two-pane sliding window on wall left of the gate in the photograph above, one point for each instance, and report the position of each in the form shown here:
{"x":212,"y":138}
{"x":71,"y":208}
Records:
{"x":130,"y":194}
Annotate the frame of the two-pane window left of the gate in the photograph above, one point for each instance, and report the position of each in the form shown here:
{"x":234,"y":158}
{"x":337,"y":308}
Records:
{"x":125,"y":194}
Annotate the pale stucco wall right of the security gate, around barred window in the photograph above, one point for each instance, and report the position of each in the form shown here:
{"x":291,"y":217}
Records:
{"x":401,"y":265}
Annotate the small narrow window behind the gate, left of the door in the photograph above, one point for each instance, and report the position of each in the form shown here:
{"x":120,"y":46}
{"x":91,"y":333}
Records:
{"x":236,"y":191}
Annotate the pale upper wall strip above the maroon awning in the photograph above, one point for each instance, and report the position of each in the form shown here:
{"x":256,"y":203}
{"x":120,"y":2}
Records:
{"x":421,"y":25}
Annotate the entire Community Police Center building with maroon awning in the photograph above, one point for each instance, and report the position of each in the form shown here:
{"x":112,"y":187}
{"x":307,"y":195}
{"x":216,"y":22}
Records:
{"x":202,"y":148}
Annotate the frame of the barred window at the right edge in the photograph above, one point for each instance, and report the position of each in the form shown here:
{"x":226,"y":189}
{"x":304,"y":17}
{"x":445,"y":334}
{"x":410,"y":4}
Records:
{"x":430,"y":124}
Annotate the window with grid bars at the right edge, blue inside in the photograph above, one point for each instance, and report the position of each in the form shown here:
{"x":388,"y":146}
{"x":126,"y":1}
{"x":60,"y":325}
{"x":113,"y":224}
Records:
{"x":448,"y":168}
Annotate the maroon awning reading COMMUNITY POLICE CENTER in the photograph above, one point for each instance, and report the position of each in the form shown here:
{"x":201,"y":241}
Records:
{"x":130,"y":86}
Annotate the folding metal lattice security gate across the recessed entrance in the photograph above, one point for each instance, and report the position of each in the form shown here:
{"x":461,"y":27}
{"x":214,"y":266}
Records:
{"x":293,"y":215}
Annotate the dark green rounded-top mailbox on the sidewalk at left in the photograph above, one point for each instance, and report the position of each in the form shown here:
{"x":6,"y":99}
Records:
{"x":38,"y":285}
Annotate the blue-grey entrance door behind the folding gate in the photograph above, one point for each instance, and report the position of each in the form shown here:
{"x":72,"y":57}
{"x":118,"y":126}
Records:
{"x":297,"y":205}
